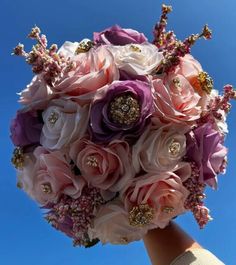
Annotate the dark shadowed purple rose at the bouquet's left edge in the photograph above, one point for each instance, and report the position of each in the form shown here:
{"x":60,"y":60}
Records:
{"x":26,"y":128}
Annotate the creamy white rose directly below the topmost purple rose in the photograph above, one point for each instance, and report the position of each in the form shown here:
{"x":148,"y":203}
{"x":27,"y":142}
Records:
{"x":137,"y":59}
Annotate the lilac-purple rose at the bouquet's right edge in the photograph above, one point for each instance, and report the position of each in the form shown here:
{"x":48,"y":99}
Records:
{"x":205,"y":147}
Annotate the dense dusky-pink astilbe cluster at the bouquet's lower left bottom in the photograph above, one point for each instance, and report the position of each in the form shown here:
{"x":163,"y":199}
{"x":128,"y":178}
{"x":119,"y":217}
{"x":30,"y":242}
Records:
{"x":74,"y":216}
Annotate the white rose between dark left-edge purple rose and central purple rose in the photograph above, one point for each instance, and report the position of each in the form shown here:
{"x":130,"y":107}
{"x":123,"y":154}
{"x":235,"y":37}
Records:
{"x":64,"y":122}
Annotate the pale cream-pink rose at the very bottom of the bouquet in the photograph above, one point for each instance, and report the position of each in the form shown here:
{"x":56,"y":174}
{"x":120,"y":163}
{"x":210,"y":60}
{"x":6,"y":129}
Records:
{"x":111,"y":225}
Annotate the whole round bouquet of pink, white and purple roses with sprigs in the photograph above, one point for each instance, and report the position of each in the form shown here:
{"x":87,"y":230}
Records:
{"x":118,"y":135}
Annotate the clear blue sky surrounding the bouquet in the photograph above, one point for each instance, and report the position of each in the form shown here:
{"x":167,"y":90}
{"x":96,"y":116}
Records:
{"x":25,"y":238}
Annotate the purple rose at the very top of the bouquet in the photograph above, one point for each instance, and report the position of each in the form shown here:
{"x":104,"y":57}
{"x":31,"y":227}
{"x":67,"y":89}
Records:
{"x":117,"y":36}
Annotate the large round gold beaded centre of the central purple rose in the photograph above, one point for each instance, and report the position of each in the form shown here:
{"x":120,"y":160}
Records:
{"x":124,"y":109}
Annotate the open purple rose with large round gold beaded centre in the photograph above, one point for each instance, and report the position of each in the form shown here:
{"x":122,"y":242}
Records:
{"x":123,"y":111}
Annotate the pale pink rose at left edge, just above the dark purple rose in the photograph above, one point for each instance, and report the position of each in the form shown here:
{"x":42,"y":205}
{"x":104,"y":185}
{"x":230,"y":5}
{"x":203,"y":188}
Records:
{"x":36,"y":94}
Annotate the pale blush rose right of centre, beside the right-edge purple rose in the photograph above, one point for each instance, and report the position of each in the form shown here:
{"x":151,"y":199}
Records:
{"x":160,"y":147}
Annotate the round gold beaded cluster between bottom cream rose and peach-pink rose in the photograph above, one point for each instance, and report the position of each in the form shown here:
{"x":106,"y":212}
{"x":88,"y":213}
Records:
{"x":141,"y":215}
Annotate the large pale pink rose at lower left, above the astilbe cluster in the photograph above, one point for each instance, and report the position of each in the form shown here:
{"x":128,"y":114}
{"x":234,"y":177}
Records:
{"x":47,"y":175}
